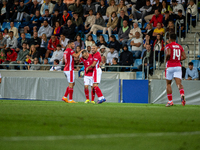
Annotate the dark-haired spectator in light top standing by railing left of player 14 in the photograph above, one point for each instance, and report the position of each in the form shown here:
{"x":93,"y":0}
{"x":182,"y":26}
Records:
{"x":159,"y":47}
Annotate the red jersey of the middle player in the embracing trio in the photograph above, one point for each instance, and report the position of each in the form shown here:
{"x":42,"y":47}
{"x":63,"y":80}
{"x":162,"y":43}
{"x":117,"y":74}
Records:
{"x":87,"y":63}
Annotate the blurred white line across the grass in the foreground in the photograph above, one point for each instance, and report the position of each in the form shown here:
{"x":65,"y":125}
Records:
{"x":80,"y":137}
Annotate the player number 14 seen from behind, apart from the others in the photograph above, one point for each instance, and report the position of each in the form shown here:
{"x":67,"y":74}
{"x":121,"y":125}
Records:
{"x":174,"y":55}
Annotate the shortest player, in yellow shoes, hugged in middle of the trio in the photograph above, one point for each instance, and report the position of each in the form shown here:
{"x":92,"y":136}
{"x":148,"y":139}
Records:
{"x":87,"y":60}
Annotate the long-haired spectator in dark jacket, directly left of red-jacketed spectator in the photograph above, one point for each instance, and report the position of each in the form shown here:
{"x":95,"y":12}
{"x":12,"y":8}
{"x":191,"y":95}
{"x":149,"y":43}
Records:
{"x":43,"y":46}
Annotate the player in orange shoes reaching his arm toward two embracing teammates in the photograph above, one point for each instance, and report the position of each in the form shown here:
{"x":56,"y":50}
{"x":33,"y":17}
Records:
{"x":68,"y":58}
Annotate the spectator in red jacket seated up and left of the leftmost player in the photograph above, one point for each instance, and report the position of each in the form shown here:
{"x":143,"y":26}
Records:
{"x":53,"y":42}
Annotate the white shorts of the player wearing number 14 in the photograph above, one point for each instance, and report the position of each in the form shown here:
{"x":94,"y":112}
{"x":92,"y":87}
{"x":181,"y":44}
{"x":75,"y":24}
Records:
{"x":173,"y":72}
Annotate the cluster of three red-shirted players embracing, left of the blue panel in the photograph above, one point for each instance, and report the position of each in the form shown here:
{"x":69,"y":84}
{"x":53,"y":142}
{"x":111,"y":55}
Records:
{"x":92,"y":70}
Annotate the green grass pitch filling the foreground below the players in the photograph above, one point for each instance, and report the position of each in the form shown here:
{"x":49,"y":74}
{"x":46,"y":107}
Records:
{"x":50,"y":125}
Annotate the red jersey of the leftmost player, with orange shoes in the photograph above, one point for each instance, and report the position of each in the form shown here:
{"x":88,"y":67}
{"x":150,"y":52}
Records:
{"x":69,"y":59}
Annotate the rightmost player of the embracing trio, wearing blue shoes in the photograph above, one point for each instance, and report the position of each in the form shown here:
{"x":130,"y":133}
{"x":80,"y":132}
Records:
{"x":96,"y":74}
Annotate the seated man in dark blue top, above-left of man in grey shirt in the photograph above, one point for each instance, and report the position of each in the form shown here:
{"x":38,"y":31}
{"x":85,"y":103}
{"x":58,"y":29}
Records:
{"x":34,"y":23}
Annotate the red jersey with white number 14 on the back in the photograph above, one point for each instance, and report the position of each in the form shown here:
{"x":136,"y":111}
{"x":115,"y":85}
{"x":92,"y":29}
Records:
{"x":175,"y":57}
